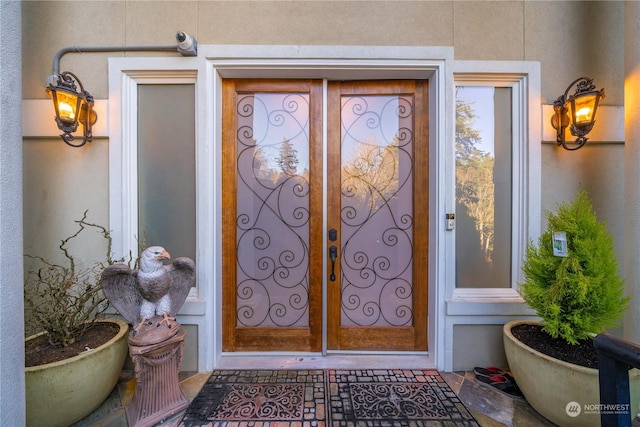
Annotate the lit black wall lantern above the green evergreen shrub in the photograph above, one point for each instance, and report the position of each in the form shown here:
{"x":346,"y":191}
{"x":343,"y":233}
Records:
{"x":576,"y":111}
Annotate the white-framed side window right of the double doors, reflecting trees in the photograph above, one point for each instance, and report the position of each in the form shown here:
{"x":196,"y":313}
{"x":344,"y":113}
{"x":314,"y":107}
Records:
{"x":497,"y":174}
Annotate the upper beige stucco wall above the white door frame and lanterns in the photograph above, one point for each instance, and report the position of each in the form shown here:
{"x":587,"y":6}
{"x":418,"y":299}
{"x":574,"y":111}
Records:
{"x":568,"y":38}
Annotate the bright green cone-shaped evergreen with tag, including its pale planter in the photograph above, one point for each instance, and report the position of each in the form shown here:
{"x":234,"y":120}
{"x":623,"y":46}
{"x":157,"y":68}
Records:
{"x":571,"y":280}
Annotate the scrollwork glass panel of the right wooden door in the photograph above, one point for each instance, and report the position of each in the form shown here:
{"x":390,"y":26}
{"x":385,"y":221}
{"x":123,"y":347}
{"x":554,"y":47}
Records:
{"x":377,"y":210}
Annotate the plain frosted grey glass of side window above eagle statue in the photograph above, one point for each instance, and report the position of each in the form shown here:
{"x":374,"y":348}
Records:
{"x":166,"y":168}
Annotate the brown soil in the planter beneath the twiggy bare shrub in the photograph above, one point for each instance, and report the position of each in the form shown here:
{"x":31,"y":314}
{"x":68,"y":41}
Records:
{"x":38,"y":351}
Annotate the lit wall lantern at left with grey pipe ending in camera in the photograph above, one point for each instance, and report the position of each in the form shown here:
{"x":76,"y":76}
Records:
{"x":75,"y":106}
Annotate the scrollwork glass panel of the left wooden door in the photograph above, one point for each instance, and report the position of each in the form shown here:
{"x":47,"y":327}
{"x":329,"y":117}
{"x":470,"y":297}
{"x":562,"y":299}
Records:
{"x":272,"y":210}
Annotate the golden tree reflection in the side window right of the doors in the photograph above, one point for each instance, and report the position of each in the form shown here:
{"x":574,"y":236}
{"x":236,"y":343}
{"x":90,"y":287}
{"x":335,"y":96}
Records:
{"x":474,"y":177}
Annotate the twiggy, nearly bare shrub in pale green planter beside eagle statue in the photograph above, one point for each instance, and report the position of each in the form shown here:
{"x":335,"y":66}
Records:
{"x":73,"y":364}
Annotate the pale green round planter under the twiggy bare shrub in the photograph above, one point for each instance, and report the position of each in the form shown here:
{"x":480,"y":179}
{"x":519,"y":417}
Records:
{"x":61,"y":393}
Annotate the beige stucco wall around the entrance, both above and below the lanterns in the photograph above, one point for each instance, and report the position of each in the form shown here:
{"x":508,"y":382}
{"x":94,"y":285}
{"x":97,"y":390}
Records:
{"x":569,"y":39}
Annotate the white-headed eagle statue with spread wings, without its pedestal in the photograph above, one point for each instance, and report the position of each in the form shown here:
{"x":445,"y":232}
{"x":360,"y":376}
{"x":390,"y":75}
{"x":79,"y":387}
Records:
{"x":153,"y":290}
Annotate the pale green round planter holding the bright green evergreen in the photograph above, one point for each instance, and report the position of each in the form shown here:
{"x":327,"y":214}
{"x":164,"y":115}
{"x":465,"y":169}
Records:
{"x":564,"y":393}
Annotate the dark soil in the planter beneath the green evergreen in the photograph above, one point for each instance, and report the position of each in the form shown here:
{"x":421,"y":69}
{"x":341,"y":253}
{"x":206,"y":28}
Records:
{"x":583,"y":353}
